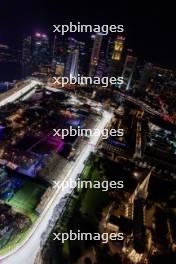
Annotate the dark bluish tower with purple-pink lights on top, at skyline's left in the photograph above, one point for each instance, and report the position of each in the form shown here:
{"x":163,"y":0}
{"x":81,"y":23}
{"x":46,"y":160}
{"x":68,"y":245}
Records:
{"x":41,"y":52}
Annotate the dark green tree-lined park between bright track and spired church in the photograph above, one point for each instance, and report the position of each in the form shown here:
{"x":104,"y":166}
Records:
{"x":83,"y":212}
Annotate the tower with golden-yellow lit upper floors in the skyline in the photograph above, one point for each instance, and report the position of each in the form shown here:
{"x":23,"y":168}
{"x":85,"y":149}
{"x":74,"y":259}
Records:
{"x":115,"y":62}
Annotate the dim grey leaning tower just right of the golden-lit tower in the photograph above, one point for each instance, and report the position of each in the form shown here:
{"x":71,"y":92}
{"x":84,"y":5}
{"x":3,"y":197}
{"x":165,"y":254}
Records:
{"x":128,"y":71}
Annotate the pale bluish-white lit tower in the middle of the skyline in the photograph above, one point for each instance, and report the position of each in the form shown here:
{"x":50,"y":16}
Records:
{"x":71,"y":68}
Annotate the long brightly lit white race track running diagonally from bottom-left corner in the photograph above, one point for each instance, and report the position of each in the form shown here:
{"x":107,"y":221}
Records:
{"x":28,"y":249}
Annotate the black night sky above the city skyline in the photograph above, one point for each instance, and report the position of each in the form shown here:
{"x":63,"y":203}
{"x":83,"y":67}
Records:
{"x":149,"y":29}
